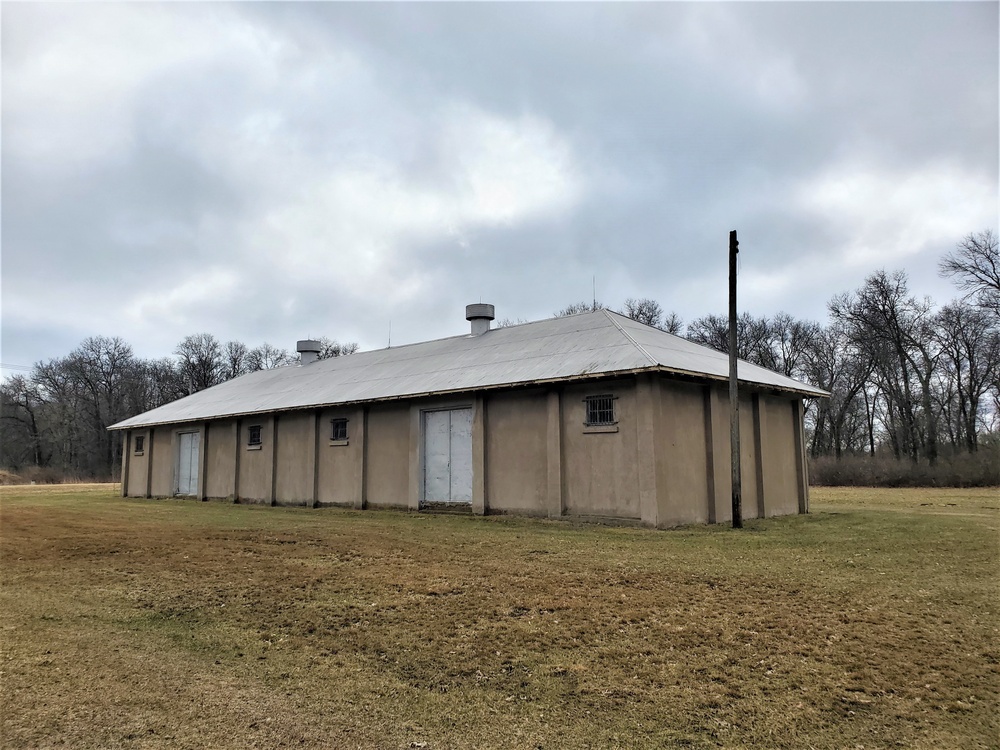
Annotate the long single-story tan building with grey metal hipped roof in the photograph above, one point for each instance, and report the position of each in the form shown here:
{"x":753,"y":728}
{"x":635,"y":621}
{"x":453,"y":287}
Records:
{"x":591,"y":415}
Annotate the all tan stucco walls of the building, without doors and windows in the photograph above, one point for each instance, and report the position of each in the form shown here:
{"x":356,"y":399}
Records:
{"x":666,"y":462}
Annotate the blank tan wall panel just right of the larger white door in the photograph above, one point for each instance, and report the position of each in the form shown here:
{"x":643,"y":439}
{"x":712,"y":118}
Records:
{"x":516,"y":452}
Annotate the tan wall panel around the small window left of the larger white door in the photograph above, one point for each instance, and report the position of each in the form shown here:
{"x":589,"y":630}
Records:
{"x":340,"y":467}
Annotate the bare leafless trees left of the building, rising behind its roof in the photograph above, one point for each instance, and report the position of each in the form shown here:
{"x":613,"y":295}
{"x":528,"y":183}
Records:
{"x":57,"y":416}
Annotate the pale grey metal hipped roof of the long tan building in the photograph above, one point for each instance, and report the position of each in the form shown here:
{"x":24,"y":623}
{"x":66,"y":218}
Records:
{"x":575,"y":346}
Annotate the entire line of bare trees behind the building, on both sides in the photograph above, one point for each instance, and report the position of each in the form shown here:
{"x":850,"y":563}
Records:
{"x":911,"y":382}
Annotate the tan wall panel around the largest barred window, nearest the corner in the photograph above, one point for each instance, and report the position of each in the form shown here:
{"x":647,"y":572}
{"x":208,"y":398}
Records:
{"x":600,"y":475}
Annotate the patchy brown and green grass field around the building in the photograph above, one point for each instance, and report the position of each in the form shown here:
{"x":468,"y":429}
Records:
{"x":872,"y":622}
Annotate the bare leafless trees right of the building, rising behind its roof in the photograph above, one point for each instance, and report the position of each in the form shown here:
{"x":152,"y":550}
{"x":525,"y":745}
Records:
{"x":905,"y":377}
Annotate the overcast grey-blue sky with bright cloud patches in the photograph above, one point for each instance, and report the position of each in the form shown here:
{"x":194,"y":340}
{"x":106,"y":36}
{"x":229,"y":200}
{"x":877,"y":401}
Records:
{"x":270,"y":172}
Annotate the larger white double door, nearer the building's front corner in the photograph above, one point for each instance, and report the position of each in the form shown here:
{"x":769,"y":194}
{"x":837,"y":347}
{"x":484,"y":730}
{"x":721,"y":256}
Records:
{"x":448,"y":456}
